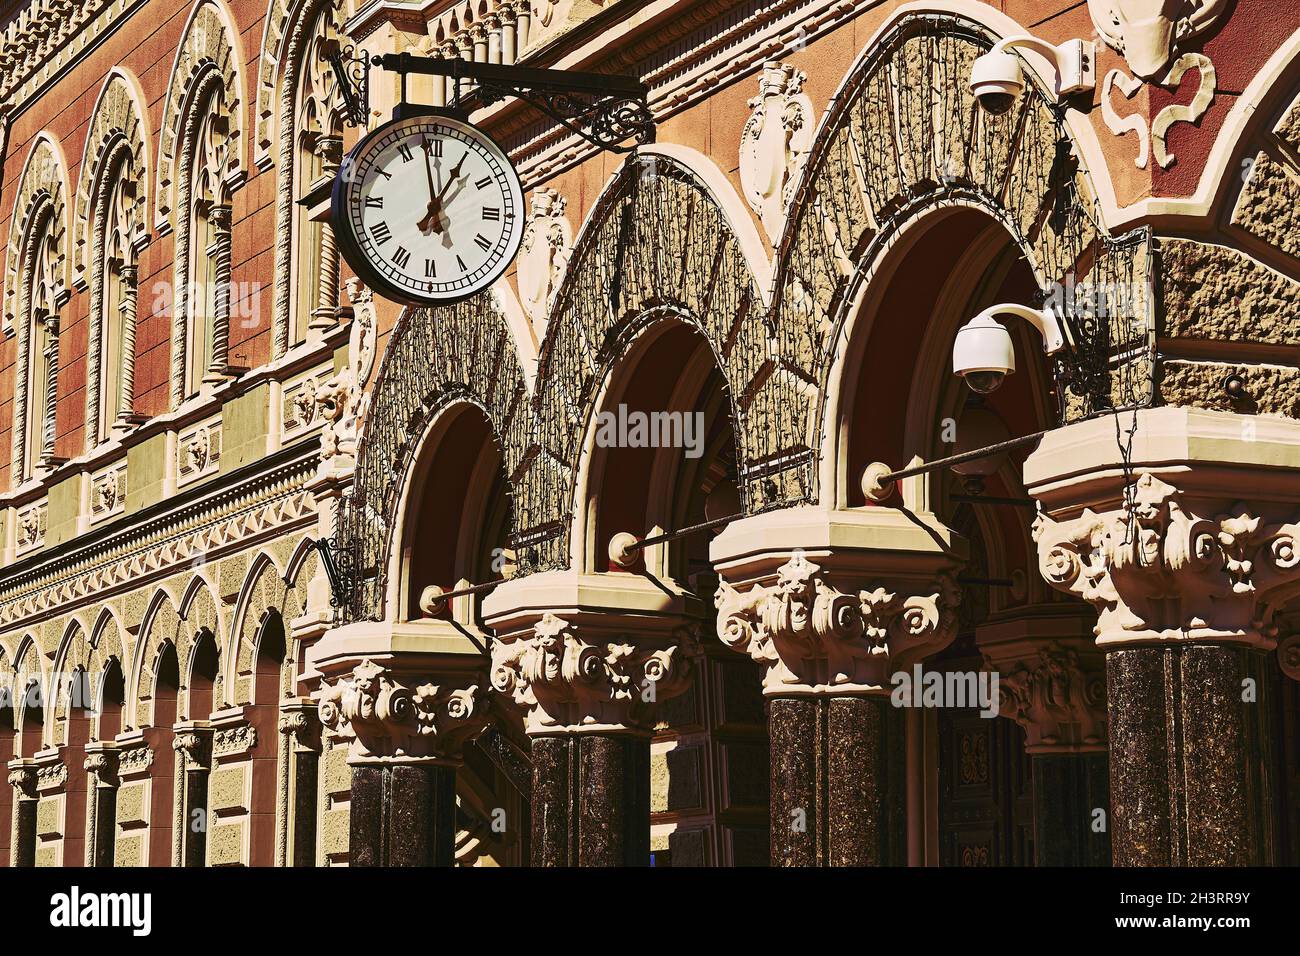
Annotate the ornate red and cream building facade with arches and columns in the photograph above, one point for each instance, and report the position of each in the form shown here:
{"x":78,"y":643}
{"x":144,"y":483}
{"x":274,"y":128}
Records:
{"x":248,"y":504}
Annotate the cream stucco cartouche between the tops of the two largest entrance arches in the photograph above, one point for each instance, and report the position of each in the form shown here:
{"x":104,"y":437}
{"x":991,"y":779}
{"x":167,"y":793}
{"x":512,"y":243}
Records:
{"x":775,"y":144}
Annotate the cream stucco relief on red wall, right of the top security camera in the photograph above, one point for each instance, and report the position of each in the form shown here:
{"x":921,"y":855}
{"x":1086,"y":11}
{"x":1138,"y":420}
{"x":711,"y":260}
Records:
{"x":1149,"y":33}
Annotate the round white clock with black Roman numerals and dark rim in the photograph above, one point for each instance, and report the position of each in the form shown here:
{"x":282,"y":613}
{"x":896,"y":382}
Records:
{"x":428,"y":210}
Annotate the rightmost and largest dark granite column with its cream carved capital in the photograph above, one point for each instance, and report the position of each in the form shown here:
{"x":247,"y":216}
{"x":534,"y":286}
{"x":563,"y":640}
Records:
{"x":1188,"y":552}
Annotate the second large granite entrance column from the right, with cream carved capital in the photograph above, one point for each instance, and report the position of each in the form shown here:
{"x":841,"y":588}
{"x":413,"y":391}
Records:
{"x":838,"y":745}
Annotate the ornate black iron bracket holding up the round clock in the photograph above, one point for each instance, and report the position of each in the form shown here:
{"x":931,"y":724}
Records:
{"x":604,"y":110}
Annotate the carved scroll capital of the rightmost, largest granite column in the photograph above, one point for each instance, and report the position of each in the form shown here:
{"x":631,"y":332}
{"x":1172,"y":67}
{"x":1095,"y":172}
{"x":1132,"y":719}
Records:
{"x":1158,"y":572}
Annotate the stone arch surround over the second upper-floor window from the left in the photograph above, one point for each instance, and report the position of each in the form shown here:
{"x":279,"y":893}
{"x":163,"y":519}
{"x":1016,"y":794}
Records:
{"x":118,"y":123}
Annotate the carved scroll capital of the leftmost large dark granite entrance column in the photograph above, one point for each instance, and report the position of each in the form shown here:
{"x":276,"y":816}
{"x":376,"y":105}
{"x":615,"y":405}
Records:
{"x":387,"y":721}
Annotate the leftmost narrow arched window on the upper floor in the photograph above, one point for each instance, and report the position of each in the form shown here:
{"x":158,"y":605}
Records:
{"x":38,"y":362}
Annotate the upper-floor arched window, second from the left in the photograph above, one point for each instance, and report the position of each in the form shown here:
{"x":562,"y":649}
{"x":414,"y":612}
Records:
{"x":114,"y":296}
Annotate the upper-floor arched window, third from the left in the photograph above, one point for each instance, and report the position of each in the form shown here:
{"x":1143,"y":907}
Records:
{"x":203,"y":252}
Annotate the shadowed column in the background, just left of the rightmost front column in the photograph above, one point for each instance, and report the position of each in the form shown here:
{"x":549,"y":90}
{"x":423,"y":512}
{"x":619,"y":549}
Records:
{"x":1052,"y":684}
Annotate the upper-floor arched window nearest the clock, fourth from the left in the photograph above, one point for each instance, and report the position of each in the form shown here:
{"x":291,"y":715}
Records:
{"x":314,"y":133}
